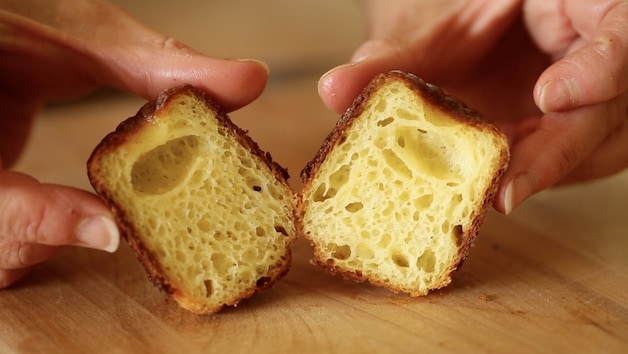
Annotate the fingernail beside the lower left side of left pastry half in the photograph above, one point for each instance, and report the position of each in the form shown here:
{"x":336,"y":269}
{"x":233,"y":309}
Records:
{"x":98,"y":232}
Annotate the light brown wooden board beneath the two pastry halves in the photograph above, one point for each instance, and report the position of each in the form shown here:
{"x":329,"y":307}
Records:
{"x":551,"y":277}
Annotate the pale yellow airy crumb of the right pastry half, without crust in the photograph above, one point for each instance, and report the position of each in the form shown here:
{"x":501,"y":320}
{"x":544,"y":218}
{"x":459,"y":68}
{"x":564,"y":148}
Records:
{"x":393,"y":198}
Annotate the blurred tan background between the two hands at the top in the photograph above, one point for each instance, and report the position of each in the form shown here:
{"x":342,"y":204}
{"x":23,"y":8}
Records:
{"x":294,"y":37}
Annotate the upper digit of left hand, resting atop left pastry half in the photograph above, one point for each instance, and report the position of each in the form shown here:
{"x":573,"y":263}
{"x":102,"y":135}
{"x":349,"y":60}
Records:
{"x":58,"y":45}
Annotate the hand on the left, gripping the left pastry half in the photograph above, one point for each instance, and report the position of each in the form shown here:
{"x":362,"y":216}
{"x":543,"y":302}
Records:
{"x":61,"y":49}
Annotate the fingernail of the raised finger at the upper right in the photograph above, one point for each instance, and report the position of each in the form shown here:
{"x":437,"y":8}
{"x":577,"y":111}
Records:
{"x":559,"y":95}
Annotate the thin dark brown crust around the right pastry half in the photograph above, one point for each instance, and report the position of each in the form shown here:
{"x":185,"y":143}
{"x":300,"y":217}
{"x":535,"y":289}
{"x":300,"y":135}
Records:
{"x":435,"y":97}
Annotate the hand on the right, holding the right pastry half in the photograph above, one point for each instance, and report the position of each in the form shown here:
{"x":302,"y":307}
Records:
{"x":508,"y":59}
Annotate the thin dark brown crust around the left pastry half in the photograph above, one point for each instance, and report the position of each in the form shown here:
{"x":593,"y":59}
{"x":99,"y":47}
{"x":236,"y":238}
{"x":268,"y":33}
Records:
{"x":148,"y":114}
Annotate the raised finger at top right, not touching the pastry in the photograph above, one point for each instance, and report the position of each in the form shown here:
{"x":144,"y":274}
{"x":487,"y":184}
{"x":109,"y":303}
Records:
{"x":594,"y":72}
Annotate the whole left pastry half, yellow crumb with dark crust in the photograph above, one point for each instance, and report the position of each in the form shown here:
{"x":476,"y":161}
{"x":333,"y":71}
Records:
{"x":209,"y":215}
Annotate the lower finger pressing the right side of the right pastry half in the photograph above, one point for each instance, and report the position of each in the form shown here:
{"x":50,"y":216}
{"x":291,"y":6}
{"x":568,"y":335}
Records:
{"x":560,"y":143}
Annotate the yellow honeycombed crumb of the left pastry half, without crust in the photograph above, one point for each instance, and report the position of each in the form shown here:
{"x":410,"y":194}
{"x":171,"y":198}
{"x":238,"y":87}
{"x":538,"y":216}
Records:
{"x":213,"y":214}
